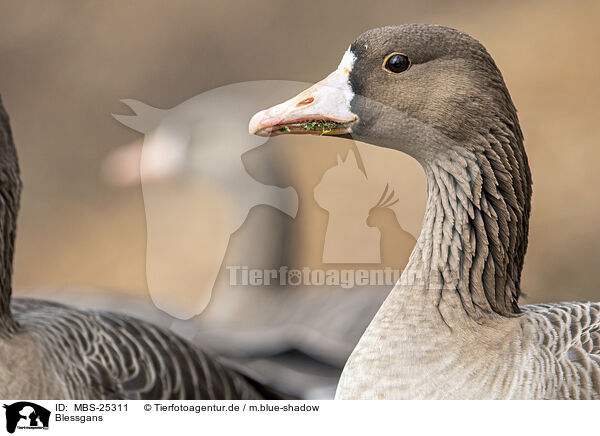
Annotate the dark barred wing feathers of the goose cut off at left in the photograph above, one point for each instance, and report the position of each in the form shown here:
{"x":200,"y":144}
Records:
{"x":103,"y":355}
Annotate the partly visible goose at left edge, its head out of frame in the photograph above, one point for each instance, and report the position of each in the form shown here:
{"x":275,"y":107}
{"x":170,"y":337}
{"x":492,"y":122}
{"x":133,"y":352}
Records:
{"x":53,"y":351}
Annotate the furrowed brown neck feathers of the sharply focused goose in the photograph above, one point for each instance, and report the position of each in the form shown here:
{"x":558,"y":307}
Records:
{"x":474,"y":235}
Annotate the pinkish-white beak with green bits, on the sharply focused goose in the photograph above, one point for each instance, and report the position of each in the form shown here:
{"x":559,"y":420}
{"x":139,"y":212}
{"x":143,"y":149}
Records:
{"x":322,"y":109}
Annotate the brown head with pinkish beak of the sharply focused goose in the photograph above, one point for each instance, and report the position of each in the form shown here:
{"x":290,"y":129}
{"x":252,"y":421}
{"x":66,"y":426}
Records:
{"x":416,"y":88}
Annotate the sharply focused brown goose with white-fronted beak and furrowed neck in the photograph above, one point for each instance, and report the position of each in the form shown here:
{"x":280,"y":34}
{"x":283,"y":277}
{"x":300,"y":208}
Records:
{"x":451,"y":328}
